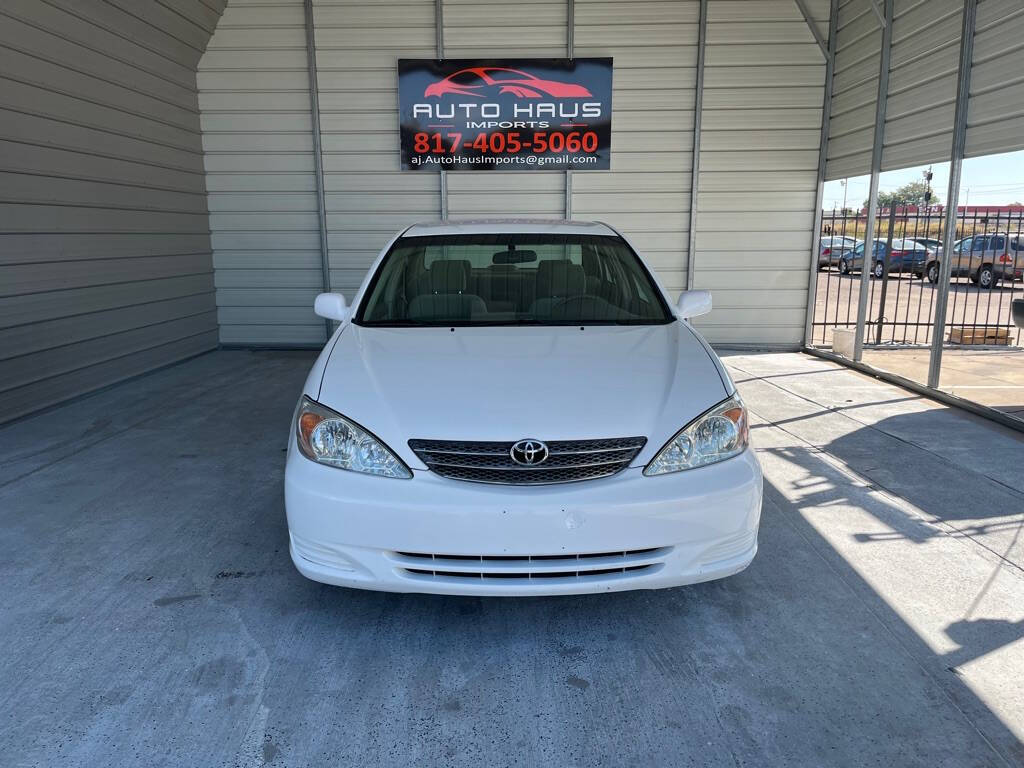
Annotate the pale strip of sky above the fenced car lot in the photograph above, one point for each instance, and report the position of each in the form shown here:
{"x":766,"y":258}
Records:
{"x":994,"y":180}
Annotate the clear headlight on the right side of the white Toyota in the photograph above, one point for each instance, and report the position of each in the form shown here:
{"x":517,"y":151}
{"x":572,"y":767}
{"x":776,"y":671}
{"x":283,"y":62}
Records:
{"x":714,"y":437}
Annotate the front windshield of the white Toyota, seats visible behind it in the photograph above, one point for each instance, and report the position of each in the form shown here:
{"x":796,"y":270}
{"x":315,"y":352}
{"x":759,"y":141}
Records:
{"x":513,"y":280}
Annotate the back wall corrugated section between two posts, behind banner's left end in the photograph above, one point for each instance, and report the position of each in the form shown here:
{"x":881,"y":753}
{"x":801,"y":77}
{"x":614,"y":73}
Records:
{"x":368,"y":197}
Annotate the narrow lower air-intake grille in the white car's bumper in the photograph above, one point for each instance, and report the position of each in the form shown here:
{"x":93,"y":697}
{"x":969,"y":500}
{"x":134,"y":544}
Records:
{"x":532,"y":568}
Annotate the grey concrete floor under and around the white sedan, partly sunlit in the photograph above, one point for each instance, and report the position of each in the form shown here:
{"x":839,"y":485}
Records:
{"x":152,"y":616}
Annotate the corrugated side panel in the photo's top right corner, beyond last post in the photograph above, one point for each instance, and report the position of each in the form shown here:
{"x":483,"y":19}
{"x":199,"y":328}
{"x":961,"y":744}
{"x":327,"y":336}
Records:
{"x":996,"y":110}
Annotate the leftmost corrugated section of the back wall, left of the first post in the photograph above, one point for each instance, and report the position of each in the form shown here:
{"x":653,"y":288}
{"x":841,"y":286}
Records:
{"x":258,"y":135}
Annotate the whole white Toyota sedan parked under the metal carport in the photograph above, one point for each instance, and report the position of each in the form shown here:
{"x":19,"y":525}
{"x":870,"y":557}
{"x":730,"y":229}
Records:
{"x":517,"y":408}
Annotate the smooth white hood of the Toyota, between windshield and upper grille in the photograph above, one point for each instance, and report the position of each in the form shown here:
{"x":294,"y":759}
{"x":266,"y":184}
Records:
{"x":496,"y":383}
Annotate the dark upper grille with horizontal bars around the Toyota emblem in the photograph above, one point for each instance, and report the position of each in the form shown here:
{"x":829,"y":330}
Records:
{"x":569,"y":461}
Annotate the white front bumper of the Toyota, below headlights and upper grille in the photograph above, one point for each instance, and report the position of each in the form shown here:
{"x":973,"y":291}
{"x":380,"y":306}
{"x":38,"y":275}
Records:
{"x":441,"y":536}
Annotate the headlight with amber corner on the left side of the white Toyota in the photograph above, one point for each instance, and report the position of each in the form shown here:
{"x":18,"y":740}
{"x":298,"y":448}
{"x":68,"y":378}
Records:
{"x":328,"y":438}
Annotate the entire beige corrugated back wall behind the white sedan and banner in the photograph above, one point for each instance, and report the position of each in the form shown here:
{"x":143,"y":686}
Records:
{"x":267,"y":265}
